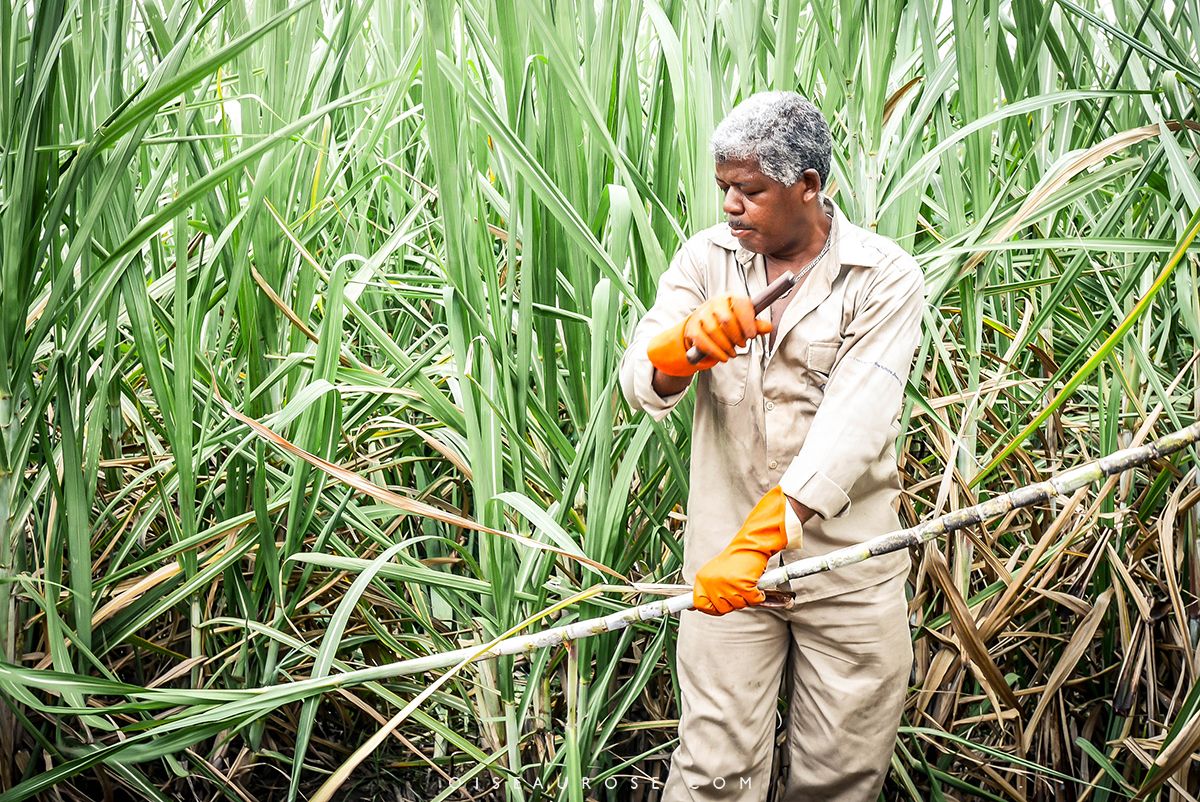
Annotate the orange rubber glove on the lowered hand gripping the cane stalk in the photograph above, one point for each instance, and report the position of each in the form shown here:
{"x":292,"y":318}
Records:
{"x":729,"y":580}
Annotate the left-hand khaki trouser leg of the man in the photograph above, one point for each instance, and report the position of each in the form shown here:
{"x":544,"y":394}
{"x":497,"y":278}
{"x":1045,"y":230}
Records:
{"x":730,"y":669}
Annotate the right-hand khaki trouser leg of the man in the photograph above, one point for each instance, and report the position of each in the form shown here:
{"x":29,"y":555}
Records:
{"x":850,"y":673}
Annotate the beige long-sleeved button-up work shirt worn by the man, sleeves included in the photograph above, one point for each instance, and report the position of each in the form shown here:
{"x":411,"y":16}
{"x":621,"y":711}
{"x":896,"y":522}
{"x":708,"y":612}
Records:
{"x":815,"y":414}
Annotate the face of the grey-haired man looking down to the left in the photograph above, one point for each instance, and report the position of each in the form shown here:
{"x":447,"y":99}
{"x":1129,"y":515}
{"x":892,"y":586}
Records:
{"x":765,"y":216}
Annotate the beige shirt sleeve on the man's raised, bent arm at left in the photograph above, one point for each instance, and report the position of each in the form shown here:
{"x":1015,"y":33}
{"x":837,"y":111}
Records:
{"x":681,"y":291}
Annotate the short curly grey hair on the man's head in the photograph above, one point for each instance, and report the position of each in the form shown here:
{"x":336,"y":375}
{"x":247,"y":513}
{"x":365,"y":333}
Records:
{"x":782,"y":130}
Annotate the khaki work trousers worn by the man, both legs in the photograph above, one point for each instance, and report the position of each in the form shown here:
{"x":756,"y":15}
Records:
{"x":850,"y":659}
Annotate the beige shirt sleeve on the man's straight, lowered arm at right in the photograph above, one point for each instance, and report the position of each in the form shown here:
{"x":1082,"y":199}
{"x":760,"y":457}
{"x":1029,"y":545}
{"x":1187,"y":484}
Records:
{"x":863,"y":394}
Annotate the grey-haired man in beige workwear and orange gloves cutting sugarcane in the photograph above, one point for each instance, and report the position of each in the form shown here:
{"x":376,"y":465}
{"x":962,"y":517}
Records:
{"x":793,"y":454}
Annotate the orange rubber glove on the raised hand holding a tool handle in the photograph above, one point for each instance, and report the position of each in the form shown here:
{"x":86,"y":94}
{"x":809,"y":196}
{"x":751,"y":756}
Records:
{"x":717,"y":327}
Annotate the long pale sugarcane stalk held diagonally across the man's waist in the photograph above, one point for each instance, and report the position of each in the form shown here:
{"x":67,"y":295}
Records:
{"x":1063,"y":484}
